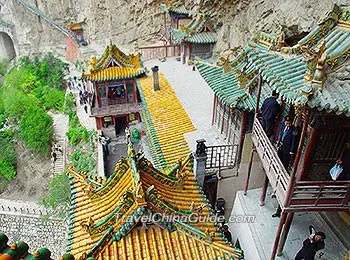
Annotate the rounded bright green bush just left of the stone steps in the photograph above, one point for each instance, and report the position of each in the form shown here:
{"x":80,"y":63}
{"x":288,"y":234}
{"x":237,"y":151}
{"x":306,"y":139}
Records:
{"x":36,"y":130}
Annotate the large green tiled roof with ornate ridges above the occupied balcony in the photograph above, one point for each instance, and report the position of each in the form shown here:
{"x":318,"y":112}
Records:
{"x":287,"y":69}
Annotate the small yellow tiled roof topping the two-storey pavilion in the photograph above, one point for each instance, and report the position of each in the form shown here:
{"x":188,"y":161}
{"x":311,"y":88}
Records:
{"x":114,"y":65}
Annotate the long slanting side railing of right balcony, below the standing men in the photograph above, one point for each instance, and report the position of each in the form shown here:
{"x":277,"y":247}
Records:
{"x":274,"y":169}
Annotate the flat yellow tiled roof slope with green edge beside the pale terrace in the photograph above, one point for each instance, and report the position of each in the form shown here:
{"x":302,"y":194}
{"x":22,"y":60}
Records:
{"x":169,"y":121}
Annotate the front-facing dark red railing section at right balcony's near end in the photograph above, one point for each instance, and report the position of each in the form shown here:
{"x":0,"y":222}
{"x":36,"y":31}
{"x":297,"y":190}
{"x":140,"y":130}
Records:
{"x":320,"y":195}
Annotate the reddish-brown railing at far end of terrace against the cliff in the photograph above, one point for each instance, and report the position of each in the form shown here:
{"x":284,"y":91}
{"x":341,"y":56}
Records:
{"x":157,"y":52}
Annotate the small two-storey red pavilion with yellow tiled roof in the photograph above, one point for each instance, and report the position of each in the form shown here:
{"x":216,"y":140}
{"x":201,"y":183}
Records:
{"x":116,"y":100}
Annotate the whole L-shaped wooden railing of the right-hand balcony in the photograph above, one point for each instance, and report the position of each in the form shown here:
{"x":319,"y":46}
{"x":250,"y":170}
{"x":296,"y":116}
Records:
{"x":305,"y":195}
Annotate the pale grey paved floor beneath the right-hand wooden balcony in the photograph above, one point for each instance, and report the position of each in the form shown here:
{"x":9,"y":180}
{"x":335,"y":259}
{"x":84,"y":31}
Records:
{"x":256,"y":229}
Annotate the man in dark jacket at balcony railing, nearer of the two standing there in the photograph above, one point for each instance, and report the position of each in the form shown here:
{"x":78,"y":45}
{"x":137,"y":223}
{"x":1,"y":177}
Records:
{"x":287,"y":142}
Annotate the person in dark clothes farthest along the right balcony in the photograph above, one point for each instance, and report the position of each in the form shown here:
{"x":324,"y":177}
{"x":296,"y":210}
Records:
{"x":270,"y":111}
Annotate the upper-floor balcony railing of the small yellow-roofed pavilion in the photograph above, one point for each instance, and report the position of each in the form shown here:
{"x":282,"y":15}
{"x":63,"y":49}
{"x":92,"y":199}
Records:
{"x":117,"y":109}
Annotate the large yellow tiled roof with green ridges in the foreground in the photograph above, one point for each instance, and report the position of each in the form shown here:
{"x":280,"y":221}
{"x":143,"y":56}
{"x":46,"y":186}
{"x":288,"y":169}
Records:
{"x":105,"y":220}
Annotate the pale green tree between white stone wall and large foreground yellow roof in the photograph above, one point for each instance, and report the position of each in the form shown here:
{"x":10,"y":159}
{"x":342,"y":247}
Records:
{"x":58,"y":198}
